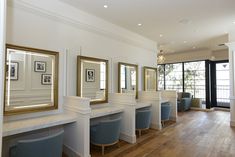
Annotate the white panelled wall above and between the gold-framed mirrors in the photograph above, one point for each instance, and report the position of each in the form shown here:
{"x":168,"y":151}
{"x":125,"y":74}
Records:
{"x":55,"y":26}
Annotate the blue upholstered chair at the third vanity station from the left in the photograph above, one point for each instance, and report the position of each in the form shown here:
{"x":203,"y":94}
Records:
{"x":143,"y":119}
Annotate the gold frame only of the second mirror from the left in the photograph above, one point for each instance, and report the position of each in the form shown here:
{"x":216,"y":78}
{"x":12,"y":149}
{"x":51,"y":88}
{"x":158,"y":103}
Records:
{"x":79,"y":85}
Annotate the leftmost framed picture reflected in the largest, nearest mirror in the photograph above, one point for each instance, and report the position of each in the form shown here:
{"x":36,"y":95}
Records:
{"x":12,"y":70}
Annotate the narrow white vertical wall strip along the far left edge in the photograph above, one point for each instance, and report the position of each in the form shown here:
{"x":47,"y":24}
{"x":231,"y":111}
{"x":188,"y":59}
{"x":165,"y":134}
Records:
{"x":2,"y":62}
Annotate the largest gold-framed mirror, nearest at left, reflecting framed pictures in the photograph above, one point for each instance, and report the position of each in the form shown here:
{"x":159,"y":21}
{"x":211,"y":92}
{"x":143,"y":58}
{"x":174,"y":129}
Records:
{"x":31,"y":83}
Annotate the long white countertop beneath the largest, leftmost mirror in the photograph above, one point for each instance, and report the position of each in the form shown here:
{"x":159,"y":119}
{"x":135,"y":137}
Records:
{"x":26,"y":125}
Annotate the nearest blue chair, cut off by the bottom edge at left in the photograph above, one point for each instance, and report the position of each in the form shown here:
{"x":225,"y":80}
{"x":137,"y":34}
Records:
{"x":50,"y":146}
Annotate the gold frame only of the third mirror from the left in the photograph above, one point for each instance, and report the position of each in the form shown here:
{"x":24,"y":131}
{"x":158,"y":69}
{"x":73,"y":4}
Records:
{"x":119,"y":76}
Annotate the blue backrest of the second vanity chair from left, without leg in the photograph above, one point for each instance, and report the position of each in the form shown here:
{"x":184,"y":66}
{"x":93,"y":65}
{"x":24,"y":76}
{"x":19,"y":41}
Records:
{"x":108,"y":131}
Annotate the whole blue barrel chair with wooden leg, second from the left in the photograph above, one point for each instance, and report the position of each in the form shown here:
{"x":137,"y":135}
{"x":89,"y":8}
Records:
{"x":105,"y":133}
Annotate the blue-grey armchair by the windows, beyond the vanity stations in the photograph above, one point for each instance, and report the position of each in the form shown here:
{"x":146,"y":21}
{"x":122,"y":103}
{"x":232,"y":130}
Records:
{"x":184,"y":101}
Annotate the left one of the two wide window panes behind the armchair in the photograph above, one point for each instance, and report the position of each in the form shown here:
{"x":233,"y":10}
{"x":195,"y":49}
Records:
{"x":174,"y":77}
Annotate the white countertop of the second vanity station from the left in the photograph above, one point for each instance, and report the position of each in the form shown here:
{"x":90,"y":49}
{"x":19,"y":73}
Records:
{"x":105,"y":110}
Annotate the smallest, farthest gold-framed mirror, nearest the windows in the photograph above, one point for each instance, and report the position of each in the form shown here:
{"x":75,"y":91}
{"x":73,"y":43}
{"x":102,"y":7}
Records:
{"x":150,"y":79}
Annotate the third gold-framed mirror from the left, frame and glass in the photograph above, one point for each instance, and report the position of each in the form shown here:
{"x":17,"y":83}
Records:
{"x":128,"y":78}
